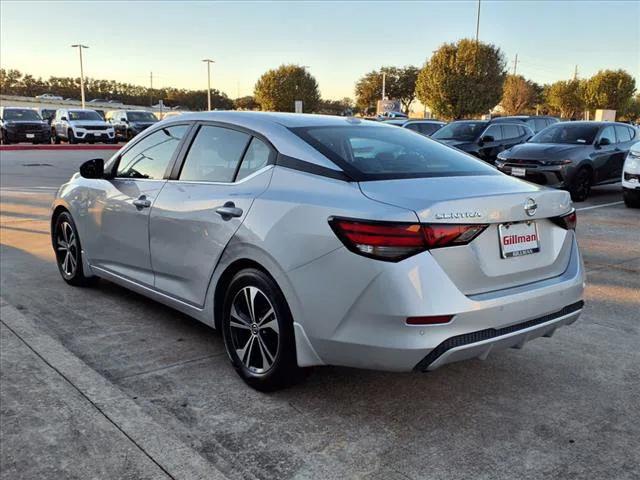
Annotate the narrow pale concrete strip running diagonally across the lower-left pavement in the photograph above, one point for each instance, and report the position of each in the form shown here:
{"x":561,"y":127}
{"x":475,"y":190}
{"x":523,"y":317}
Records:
{"x":174,"y":457}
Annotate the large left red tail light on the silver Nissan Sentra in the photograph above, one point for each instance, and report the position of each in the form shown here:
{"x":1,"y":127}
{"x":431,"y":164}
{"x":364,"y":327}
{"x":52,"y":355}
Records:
{"x":393,"y":242}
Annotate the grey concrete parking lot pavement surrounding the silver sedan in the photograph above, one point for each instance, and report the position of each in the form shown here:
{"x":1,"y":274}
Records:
{"x":104,"y":383}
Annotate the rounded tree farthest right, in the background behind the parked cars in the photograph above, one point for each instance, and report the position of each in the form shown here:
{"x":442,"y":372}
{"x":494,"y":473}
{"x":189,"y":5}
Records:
{"x":609,"y":89}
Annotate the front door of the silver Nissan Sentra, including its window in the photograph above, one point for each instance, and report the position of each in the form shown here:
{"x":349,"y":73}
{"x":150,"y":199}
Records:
{"x":119,"y":238}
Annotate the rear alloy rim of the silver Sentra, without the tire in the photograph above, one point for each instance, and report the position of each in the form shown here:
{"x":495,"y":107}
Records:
{"x":254,"y":330}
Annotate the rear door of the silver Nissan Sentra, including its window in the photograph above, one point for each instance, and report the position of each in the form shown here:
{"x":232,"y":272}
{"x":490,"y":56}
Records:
{"x":198,"y":212}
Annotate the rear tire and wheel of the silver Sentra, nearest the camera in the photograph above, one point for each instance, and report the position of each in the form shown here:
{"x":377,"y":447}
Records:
{"x":258,"y":332}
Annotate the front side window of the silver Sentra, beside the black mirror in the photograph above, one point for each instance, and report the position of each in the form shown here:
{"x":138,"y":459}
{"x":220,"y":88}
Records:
{"x":150,"y":157}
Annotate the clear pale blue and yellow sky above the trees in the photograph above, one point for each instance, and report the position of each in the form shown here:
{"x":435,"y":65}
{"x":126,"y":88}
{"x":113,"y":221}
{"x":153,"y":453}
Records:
{"x":338,"y":41}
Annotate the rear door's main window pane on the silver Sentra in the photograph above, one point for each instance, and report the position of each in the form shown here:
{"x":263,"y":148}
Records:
{"x":214,"y":155}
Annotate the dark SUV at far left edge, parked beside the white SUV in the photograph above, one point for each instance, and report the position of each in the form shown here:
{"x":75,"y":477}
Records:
{"x":22,"y":125}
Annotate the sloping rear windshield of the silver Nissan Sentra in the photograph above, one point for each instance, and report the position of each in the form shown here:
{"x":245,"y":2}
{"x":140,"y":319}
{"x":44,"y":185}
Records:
{"x":372,"y":152}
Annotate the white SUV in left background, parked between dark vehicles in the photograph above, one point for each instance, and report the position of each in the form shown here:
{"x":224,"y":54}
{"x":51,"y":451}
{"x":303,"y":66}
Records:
{"x":79,"y":125}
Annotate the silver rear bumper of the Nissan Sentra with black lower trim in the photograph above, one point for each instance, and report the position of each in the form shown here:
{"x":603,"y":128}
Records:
{"x":372,"y":332}
